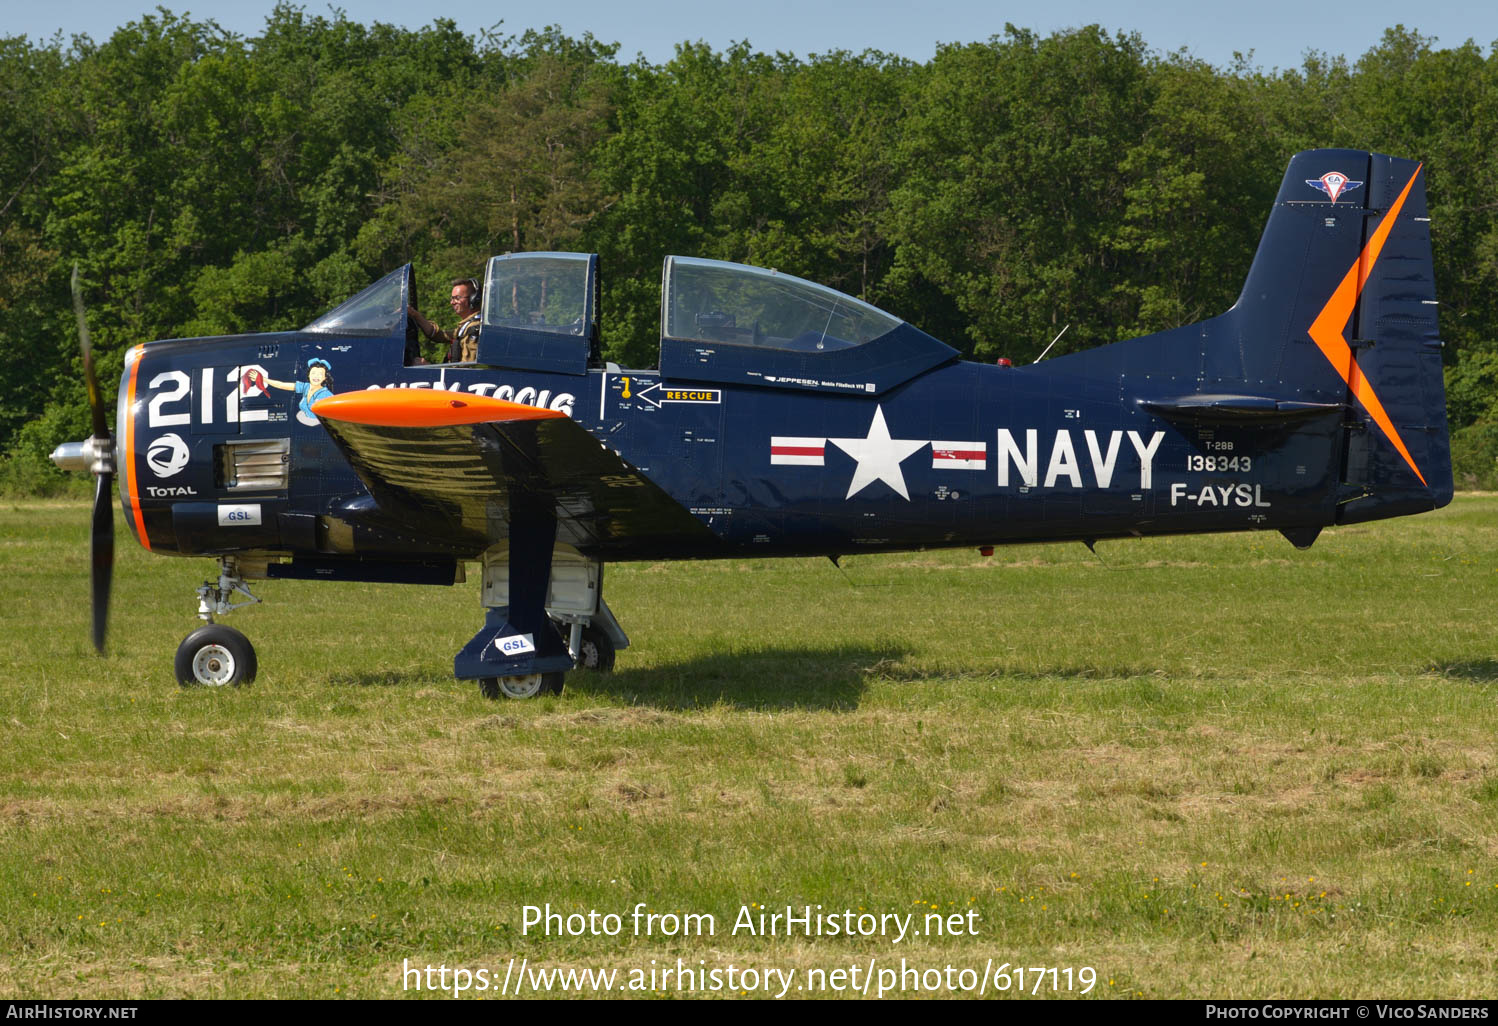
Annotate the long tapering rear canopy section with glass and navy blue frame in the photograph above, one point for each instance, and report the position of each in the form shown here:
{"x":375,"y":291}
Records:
{"x":739,"y":324}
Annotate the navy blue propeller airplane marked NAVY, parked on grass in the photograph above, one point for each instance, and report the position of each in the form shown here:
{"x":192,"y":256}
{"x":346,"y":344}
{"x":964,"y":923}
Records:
{"x":784,"y":420}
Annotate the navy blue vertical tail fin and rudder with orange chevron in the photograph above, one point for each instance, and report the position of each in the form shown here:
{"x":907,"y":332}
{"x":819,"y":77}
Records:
{"x":1341,"y":305}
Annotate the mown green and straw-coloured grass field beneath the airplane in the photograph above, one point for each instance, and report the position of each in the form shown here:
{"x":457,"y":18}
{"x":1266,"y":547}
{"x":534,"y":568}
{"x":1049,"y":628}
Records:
{"x":1202,"y":768}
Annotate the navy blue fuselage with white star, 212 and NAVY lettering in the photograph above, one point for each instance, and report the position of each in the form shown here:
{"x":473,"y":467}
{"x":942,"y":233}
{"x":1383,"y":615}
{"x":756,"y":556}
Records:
{"x":964,"y":455}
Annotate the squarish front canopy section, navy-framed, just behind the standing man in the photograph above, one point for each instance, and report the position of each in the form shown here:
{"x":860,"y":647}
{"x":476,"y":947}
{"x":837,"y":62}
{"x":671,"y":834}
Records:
{"x":540,"y":312}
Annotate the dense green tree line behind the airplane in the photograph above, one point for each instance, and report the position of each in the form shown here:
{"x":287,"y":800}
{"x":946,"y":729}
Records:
{"x":207,"y":183}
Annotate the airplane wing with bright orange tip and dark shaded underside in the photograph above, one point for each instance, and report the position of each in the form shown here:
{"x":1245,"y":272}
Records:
{"x":453,"y":467}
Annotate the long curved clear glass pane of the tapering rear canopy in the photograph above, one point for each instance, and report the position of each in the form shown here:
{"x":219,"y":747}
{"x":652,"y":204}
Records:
{"x":750,"y":306}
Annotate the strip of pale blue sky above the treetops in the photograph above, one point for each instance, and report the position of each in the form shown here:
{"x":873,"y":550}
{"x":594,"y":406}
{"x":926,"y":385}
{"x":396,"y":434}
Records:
{"x":1279,"y":32}
